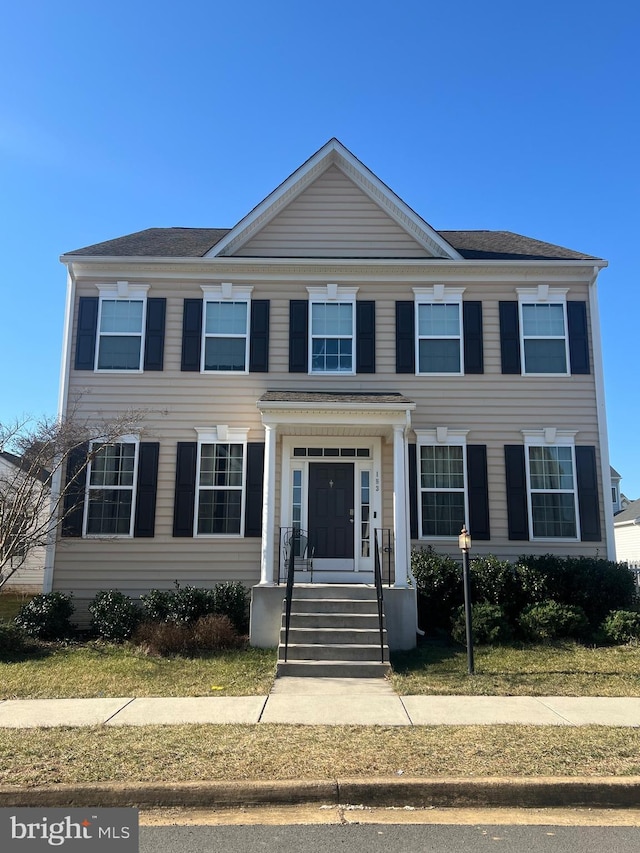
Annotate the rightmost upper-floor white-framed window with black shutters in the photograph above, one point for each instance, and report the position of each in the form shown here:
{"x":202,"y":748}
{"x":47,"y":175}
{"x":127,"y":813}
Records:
{"x":544,"y":342}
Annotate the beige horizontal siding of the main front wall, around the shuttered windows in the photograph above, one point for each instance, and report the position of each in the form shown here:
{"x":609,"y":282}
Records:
{"x":492,"y":406}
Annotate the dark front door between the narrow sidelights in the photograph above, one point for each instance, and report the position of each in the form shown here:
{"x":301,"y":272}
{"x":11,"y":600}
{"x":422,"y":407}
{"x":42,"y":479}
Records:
{"x":331,"y":509}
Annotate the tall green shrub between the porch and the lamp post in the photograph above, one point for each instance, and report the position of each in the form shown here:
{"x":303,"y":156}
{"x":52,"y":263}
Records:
{"x":439,"y":585}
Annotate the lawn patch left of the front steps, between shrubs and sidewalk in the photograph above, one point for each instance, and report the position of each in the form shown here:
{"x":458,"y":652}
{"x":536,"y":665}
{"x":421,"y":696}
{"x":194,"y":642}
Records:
{"x":97,"y":669}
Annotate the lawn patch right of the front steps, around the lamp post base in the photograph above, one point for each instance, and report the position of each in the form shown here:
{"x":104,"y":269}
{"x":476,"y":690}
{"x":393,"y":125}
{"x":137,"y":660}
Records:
{"x":566,"y":669}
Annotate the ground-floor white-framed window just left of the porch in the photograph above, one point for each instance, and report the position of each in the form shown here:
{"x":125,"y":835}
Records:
{"x":221,"y":478}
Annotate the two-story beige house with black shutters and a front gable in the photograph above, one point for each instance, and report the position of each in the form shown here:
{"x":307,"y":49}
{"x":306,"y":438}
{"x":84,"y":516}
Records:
{"x":332,"y":363}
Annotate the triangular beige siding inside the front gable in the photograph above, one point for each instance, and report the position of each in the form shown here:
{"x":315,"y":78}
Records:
{"x":332,"y":217}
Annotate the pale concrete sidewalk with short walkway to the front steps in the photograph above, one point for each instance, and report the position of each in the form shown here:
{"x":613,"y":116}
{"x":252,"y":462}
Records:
{"x":324,"y":701}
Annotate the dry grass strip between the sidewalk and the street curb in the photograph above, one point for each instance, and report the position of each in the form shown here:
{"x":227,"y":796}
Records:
{"x":227,"y":752}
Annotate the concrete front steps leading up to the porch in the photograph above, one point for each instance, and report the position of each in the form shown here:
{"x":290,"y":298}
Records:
{"x":333,"y":633}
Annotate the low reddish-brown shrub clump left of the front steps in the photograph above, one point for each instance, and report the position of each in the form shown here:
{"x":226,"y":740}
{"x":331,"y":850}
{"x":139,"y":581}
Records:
{"x":209,"y":633}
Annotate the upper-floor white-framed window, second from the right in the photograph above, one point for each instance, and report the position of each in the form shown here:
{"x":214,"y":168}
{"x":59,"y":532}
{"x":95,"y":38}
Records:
{"x":439,"y":338}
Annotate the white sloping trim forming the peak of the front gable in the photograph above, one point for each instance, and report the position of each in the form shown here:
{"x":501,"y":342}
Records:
{"x":334,"y":153}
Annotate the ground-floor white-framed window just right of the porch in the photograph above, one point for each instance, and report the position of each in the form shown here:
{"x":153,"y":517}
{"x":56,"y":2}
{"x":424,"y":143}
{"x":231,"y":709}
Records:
{"x":442,"y":482}
